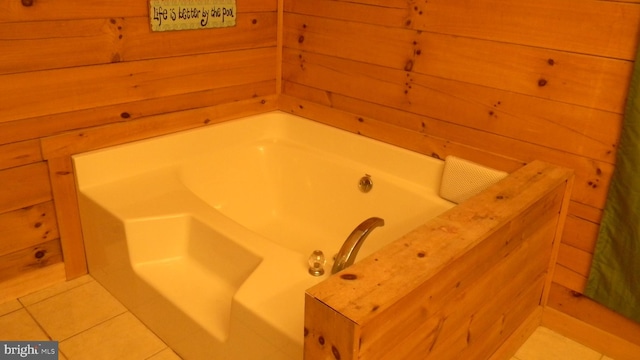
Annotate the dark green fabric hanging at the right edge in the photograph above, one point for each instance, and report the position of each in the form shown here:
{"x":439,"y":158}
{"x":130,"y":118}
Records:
{"x":614,"y":279}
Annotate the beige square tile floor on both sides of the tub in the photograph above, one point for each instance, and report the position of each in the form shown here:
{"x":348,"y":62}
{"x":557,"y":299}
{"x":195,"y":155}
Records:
{"x":90,"y":324}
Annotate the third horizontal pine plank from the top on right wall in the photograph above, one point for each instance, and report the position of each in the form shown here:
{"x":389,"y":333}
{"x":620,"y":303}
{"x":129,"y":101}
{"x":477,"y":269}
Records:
{"x":574,"y":129}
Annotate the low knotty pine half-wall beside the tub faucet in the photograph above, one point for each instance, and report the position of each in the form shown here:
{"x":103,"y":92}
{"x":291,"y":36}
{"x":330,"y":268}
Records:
{"x":456,"y":287}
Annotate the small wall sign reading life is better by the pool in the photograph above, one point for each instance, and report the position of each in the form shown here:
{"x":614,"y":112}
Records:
{"x":167,"y":15}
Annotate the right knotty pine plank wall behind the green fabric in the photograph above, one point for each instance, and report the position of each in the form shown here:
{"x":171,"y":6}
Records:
{"x":500,"y":82}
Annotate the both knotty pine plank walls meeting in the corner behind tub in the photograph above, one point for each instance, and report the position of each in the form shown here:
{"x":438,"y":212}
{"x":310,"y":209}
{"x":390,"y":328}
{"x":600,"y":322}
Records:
{"x":500,"y":82}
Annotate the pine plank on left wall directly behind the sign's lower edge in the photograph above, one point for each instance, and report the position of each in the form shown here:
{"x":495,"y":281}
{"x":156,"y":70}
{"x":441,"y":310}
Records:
{"x":42,"y":45}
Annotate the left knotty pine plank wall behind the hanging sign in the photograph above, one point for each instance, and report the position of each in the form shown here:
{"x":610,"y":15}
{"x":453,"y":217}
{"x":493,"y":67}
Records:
{"x":94,"y":66}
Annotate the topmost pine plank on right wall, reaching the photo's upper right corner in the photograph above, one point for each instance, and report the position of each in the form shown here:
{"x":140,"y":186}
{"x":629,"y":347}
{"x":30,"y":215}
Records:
{"x":602,"y":28}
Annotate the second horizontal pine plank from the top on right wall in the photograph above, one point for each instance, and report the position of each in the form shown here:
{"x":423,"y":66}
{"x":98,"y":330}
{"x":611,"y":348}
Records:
{"x":544,"y":73}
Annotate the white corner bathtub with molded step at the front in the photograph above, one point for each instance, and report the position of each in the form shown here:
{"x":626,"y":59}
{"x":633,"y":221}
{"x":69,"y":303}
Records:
{"x":205,"y":234}
